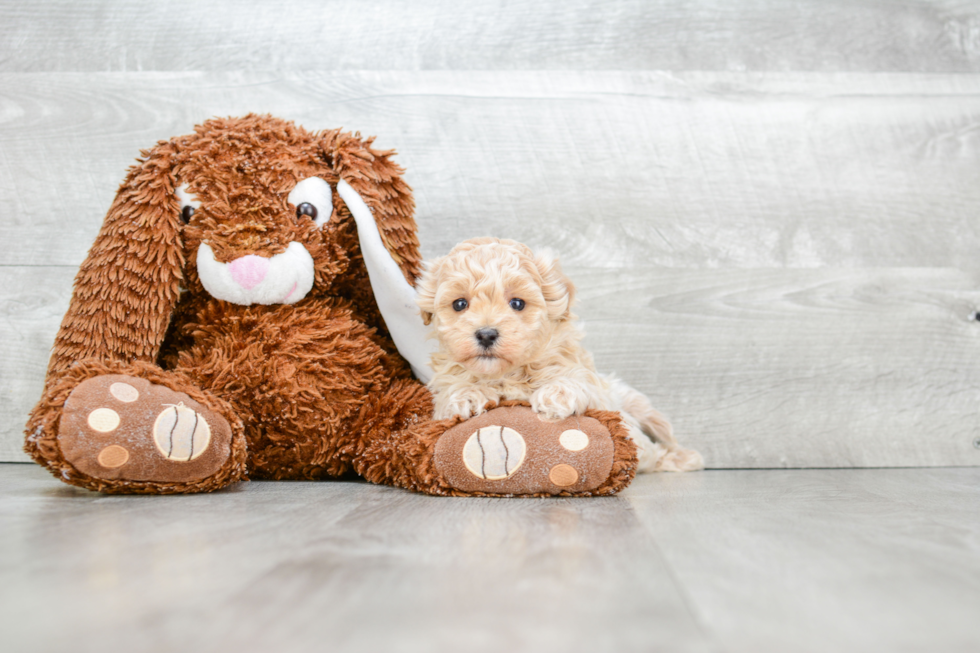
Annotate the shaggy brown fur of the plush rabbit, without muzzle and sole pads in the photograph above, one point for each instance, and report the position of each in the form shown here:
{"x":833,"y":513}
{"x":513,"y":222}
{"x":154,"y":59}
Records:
{"x":309,"y":390}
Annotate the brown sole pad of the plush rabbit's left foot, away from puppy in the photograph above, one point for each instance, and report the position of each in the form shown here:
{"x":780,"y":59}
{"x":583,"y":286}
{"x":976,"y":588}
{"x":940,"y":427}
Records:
{"x":122,"y":428}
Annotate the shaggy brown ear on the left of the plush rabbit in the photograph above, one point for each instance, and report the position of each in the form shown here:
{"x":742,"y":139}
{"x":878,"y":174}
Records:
{"x":126,"y":288}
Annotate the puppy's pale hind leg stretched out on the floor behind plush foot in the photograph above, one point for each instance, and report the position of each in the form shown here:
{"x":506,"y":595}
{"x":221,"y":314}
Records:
{"x":672,"y":457}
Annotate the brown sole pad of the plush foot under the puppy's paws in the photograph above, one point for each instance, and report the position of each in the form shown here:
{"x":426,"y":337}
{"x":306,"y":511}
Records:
{"x":510,"y":450}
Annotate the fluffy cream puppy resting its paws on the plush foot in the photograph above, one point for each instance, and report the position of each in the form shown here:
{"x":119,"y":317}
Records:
{"x":503,"y":319}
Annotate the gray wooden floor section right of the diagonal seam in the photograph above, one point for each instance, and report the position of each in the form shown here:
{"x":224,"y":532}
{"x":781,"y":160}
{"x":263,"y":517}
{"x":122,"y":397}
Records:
{"x":823,"y":560}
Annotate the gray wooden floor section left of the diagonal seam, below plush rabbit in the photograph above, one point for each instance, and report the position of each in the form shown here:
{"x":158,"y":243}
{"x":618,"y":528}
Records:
{"x":283,"y":566}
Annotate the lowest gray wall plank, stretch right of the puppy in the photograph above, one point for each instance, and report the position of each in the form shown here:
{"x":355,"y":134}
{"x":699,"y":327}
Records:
{"x":798,"y":368}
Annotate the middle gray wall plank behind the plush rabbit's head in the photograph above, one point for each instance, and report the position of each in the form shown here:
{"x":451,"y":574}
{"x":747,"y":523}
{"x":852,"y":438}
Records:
{"x":618,"y":169}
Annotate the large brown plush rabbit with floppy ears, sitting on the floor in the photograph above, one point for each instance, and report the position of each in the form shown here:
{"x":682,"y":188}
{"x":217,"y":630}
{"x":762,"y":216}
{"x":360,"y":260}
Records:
{"x":224,"y":324}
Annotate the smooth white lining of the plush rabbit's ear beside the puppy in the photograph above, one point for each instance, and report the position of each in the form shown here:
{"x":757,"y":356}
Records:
{"x":395,"y":296}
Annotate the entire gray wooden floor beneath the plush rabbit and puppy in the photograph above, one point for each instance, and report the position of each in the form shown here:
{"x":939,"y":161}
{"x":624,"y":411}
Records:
{"x":781,"y":560}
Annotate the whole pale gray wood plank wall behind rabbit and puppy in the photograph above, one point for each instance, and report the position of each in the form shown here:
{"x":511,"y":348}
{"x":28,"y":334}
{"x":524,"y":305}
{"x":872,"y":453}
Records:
{"x":770,"y":208}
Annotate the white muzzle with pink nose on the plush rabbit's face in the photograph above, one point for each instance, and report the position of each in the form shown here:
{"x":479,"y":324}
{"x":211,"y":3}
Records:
{"x":284,"y":278}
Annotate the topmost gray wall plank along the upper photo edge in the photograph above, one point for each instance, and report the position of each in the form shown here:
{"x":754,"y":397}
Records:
{"x":860,"y":35}
